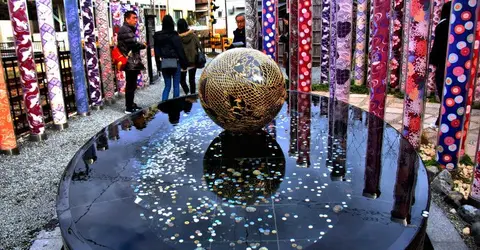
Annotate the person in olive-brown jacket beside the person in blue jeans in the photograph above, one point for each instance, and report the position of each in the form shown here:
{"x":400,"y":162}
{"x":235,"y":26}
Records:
{"x":191,"y":46}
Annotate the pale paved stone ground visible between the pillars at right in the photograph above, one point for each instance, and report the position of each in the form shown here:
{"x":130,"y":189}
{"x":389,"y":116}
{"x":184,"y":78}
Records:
{"x":394,"y":116}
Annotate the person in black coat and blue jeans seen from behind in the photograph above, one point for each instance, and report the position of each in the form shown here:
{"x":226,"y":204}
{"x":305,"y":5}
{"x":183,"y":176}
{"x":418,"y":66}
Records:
{"x":168,"y":45}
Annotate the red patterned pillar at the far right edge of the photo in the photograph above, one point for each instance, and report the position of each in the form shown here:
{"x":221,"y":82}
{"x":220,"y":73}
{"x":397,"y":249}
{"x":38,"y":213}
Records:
{"x":471,"y":85}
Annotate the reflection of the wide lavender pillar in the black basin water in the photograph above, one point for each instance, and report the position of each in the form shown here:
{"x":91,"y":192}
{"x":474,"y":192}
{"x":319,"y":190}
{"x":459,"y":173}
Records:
{"x":338,"y":142}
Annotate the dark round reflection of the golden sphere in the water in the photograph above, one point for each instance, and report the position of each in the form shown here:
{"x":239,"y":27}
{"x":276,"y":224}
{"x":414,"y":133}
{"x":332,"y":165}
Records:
{"x":241,"y":169}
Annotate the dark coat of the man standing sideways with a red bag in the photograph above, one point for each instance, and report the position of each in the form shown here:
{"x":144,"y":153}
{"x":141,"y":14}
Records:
{"x":126,"y":42}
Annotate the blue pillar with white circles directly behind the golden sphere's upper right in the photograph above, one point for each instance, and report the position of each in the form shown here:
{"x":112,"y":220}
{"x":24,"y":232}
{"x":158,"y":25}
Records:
{"x":269,"y":28}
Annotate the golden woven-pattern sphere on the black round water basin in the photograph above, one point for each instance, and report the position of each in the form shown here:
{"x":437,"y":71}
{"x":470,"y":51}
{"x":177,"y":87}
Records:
{"x":242,"y":90}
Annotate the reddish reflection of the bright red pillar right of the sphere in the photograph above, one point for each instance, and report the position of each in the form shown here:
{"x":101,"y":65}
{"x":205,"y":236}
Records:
{"x":303,"y":129}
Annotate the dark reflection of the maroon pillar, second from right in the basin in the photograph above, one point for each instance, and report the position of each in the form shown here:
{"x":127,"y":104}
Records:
{"x":373,"y":163}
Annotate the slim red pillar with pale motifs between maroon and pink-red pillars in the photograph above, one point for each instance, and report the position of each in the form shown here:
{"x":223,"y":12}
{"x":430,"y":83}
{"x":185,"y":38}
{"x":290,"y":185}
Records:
{"x":396,"y":49}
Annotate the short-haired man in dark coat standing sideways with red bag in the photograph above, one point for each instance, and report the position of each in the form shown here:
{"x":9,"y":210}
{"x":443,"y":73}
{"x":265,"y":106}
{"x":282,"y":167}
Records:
{"x":128,"y":45}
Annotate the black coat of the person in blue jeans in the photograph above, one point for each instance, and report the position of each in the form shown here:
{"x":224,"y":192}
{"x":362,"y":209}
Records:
{"x":168,"y":44}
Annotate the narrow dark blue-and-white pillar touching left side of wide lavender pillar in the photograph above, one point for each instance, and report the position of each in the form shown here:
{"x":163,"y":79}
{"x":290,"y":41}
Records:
{"x":325,"y":59}
